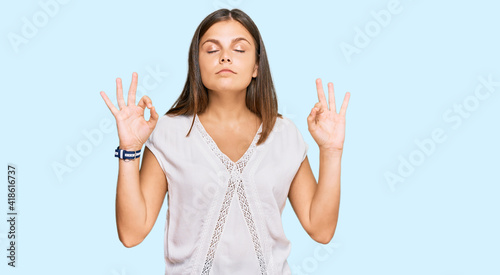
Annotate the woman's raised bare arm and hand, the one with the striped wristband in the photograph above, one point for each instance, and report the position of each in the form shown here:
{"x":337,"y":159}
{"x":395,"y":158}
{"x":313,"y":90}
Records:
{"x":139,"y":194}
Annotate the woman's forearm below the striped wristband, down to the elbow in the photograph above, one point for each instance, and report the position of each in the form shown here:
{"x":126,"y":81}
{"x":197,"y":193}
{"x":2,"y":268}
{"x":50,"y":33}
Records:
{"x":130,"y":204}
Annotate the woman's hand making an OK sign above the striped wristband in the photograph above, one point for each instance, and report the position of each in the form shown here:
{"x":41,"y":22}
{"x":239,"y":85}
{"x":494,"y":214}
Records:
{"x":133,"y":129}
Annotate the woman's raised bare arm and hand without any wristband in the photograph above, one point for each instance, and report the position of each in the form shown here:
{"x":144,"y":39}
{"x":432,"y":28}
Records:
{"x":317,"y":204}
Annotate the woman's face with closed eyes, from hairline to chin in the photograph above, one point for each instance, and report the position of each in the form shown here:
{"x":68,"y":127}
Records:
{"x":227,"y":45}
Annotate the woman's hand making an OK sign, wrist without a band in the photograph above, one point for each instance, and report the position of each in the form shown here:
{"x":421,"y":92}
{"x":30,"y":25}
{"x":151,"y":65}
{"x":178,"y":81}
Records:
{"x":325,"y":125}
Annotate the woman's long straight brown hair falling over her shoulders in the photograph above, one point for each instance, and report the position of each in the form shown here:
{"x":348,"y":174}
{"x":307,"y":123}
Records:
{"x":261,"y":96}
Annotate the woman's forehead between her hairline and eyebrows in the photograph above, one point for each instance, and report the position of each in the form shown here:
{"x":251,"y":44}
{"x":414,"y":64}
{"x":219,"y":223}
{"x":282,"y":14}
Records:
{"x":226,"y":31}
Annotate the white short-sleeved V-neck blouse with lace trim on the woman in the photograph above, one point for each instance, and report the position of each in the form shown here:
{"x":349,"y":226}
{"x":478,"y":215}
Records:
{"x":225,"y":217}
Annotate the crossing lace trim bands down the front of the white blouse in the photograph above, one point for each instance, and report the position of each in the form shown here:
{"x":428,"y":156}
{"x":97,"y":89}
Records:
{"x":235,"y":182}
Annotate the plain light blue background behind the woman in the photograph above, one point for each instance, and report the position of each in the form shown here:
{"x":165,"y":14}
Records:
{"x":442,"y":219}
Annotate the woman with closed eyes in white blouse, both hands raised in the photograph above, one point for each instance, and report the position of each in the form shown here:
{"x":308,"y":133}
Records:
{"x":227,"y":158}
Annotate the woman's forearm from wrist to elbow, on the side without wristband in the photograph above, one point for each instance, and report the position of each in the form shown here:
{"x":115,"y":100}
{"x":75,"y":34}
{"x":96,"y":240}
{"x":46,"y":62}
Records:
{"x":325,"y":204}
